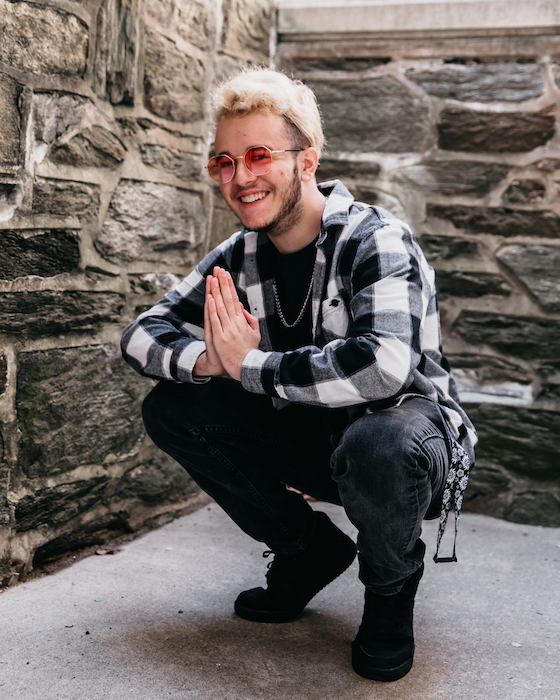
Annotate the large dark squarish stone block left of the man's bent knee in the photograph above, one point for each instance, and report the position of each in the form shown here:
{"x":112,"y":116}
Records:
{"x":76,"y":406}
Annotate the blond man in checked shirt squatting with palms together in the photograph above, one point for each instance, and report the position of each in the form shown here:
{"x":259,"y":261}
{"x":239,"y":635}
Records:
{"x":305,"y":351}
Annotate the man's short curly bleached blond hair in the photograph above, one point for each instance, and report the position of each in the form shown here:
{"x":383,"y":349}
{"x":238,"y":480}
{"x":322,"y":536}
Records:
{"x":264,"y":91}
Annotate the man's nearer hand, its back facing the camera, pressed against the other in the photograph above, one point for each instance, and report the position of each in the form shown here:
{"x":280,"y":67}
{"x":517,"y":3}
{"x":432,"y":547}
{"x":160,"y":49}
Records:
{"x":234,"y":330}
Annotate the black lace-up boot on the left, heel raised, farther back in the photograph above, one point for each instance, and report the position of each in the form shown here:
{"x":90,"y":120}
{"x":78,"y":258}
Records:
{"x":293,"y":579}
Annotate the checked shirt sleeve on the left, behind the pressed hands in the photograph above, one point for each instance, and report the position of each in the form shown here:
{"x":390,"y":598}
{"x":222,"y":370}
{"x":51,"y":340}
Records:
{"x":165,"y":341}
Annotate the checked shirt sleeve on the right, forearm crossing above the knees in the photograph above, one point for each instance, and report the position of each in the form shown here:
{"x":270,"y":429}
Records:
{"x":381,"y":348}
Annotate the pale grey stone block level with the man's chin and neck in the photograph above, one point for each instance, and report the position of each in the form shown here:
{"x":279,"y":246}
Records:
{"x":153,"y":222}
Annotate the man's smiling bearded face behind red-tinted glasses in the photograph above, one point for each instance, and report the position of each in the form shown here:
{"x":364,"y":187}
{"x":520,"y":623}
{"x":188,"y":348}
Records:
{"x":271,"y":203}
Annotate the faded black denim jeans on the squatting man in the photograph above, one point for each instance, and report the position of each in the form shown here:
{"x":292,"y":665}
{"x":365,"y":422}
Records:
{"x":388,"y":471}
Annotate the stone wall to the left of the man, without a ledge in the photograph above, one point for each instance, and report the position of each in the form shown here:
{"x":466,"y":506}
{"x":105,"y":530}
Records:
{"x":103,"y":207}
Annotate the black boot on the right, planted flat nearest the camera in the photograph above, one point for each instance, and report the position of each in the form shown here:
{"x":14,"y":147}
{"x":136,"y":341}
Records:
{"x":384,"y":646}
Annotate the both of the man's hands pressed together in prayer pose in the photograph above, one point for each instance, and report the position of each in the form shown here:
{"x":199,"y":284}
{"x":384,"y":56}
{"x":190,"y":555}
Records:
{"x":230,"y":331}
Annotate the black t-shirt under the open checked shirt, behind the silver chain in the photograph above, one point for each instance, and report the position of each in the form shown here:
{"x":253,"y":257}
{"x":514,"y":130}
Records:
{"x":293,"y":275}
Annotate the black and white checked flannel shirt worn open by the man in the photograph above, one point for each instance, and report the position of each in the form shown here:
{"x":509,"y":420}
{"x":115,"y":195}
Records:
{"x":376,"y":331}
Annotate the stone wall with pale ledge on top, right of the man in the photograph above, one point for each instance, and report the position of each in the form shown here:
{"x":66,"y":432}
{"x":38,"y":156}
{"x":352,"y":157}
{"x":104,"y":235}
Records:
{"x":456,"y":131}
